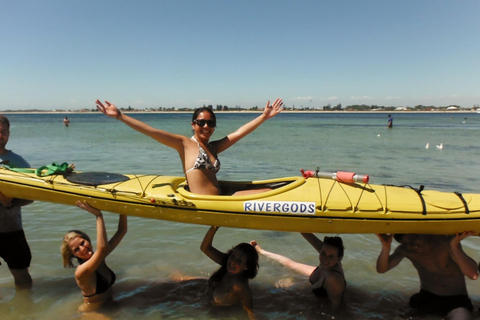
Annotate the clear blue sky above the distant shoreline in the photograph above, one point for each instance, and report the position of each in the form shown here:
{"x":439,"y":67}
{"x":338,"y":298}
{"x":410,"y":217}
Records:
{"x":187,"y":53}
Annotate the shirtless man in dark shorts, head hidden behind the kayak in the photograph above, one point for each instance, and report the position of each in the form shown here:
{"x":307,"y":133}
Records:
{"x":442,"y":266}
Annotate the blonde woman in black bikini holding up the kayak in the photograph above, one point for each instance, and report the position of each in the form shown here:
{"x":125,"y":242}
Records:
{"x":93,"y":276}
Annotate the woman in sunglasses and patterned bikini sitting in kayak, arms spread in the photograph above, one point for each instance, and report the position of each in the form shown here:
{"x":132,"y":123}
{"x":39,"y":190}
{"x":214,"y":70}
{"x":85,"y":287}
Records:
{"x":198,"y":154}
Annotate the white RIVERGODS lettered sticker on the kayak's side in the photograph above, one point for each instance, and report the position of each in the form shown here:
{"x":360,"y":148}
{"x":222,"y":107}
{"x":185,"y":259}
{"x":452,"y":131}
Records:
{"x":280,"y":207}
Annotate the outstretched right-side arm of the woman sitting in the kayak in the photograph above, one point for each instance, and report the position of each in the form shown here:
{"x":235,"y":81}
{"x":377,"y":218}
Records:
{"x":269,"y":112}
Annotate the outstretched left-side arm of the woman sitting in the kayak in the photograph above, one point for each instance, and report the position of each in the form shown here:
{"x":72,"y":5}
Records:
{"x":169,"y":139}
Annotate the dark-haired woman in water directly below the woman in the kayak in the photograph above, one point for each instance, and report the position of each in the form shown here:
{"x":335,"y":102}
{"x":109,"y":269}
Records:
{"x":229,"y":286}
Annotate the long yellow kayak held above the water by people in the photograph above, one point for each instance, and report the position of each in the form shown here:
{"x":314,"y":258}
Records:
{"x":300,"y":204}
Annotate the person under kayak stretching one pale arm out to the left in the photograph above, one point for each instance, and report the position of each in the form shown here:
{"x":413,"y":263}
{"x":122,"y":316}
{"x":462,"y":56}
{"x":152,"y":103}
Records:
{"x":327,"y":279}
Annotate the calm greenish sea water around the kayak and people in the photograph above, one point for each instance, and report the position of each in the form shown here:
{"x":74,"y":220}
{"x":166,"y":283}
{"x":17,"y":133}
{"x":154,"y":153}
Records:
{"x":154,"y":250}
